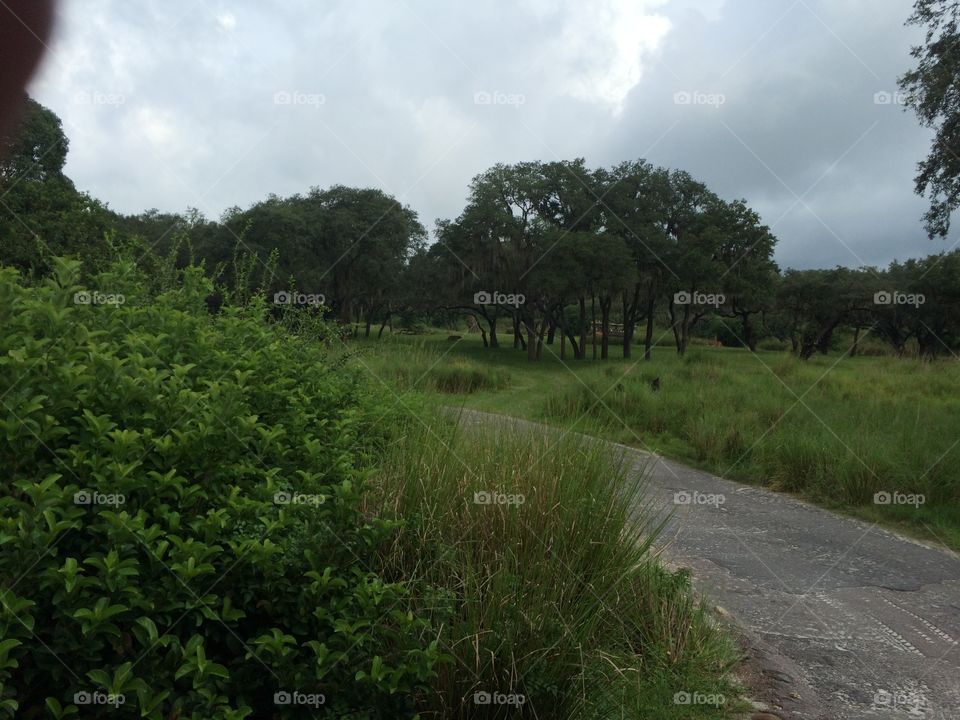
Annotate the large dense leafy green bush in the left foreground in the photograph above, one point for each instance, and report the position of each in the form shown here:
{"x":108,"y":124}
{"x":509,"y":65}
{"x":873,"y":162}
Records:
{"x":181,"y":521}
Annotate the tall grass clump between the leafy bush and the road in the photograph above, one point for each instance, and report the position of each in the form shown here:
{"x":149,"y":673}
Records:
{"x":558,"y":597}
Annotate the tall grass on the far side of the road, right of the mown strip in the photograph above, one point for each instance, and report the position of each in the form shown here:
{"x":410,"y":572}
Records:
{"x":837,"y":433}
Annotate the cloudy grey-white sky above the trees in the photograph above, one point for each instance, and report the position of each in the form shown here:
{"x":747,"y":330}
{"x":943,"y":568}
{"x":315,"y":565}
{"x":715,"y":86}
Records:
{"x":212,"y":104}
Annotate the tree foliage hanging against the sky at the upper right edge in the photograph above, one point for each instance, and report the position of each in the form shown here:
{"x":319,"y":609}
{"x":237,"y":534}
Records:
{"x":932,"y":89}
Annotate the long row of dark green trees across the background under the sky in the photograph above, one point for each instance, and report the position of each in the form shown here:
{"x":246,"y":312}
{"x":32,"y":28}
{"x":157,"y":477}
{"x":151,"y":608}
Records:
{"x":541,"y":251}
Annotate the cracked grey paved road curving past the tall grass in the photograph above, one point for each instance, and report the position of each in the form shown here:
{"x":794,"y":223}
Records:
{"x":842,"y":619}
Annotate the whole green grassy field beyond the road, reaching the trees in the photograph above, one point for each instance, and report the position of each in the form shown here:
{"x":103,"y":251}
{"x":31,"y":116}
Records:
{"x":835,"y":430}
